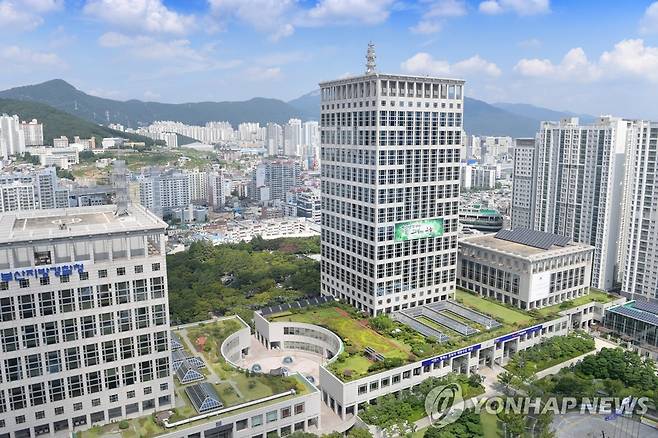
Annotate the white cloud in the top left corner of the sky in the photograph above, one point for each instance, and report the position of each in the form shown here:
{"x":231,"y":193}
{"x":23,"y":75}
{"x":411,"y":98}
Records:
{"x":25,"y":15}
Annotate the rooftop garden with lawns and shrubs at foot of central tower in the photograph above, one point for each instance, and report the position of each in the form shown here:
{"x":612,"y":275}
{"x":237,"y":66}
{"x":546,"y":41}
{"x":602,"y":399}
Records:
{"x":400,"y":344}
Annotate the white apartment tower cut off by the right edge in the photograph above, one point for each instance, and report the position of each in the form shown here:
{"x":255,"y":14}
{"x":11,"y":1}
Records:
{"x":639,"y":228}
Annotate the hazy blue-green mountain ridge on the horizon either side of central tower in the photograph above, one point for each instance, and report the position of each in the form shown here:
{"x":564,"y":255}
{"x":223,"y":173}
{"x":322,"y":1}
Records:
{"x":481,"y":118}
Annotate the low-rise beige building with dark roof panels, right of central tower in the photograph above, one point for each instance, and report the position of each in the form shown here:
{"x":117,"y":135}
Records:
{"x":527,"y":269}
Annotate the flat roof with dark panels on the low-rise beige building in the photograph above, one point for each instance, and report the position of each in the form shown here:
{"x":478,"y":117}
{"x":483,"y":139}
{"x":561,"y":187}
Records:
{"x":530,"y":246}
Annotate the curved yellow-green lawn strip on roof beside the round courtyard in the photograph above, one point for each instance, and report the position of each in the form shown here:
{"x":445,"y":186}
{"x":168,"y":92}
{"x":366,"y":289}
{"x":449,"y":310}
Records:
{"x":349,"y":330}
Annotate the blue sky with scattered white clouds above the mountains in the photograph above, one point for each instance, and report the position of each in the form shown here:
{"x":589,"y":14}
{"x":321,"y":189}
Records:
{"x":598,"y":57}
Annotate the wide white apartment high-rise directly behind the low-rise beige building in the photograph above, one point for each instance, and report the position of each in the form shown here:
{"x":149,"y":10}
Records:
{"x":579,"y":187}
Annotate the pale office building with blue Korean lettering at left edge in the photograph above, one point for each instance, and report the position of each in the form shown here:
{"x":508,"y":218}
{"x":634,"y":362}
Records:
{"x":84,"y":329}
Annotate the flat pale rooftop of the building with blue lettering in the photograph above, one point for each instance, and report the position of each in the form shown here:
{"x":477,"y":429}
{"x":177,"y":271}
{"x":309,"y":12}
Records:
{"x":18,"y":226}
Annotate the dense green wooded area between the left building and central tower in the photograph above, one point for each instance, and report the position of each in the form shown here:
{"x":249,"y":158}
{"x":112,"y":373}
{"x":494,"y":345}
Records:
{"x":241,"y":278}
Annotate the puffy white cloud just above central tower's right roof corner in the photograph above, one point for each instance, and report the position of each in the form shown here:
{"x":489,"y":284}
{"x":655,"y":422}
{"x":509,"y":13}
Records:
{"x":424,"y":63}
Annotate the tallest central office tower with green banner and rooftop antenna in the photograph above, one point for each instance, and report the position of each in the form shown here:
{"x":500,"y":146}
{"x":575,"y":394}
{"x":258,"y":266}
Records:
{"x":390,"y":152}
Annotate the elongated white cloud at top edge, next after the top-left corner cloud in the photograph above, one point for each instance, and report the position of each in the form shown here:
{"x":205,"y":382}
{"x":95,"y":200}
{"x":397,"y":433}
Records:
{"x":145,"y":15}
